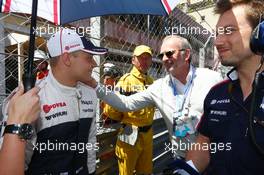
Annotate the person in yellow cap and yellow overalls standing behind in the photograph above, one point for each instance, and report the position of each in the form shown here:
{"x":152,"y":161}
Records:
{"x":134,"y":150}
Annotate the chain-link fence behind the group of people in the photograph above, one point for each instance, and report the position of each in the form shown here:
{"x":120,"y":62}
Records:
{"x":119,"y":33}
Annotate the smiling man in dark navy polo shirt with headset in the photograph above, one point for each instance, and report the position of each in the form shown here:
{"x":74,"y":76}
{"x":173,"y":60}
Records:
{"x":224,"y":145}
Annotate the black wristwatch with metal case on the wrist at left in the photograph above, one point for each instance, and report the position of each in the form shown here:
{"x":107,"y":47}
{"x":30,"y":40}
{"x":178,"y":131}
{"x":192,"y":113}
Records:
{"x":24,"y":131}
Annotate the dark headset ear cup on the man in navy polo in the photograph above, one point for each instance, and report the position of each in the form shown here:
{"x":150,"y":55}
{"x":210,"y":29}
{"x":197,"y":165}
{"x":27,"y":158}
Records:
{"x":257,"y":39}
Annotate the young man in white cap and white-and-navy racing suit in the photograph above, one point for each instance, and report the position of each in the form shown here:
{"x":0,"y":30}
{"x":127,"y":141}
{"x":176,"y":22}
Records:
{"x":65,"y":137}
